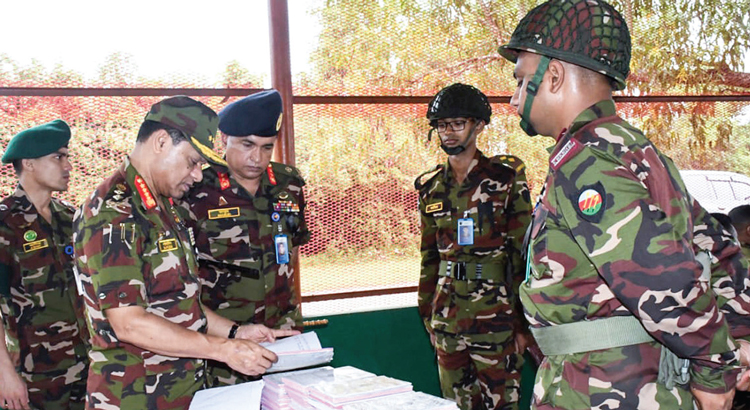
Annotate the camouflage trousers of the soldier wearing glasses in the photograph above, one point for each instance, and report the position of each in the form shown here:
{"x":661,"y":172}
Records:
{"x":479,"y":372}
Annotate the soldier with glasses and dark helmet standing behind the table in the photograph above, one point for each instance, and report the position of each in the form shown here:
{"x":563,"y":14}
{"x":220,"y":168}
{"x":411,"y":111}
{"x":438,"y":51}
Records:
{"x":474,"y":212}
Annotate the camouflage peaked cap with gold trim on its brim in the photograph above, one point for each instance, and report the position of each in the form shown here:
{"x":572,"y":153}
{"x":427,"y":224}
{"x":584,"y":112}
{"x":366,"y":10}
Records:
{"x":199,"y":123}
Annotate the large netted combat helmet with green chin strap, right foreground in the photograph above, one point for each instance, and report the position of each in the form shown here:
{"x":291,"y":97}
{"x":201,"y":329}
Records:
{"x":588,"y":33}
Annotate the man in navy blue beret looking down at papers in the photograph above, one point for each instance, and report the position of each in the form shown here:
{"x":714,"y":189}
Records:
{"x":242,"y":217}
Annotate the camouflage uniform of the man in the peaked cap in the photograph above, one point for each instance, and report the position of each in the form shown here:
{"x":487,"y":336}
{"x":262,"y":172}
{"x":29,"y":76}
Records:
{"x":131,"y":252}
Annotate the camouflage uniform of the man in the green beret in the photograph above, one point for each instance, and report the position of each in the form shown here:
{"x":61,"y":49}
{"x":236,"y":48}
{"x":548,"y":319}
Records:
{"x":43,"y":309}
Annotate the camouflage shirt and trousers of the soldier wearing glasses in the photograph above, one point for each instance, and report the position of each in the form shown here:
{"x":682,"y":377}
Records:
{"x":474,"y":320}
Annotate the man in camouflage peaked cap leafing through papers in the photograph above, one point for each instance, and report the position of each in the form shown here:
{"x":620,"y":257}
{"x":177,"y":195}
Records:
{"x":136,"y":264}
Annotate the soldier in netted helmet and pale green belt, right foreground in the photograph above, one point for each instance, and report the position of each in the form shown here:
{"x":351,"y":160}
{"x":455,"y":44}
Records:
{"x":615,"y":295}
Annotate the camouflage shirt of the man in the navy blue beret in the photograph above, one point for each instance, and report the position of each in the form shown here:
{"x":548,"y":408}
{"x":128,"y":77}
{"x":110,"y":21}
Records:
{"x":234,"y":233}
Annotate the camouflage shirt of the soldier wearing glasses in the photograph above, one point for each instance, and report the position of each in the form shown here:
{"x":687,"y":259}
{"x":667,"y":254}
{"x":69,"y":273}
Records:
{"x":495,"y":196}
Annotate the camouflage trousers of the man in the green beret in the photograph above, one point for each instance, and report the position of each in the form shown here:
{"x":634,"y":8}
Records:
{"x":55,"y":392}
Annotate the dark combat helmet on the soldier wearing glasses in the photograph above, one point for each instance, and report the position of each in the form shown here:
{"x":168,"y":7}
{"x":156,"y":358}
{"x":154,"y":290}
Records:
{"x":459,"y":100}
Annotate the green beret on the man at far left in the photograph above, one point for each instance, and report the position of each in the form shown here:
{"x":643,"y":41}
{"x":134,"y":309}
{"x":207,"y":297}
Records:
{"x":37,"y":141}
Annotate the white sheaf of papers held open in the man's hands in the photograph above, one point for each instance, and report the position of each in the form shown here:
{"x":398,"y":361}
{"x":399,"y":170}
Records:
{"x":298,"y":351}
